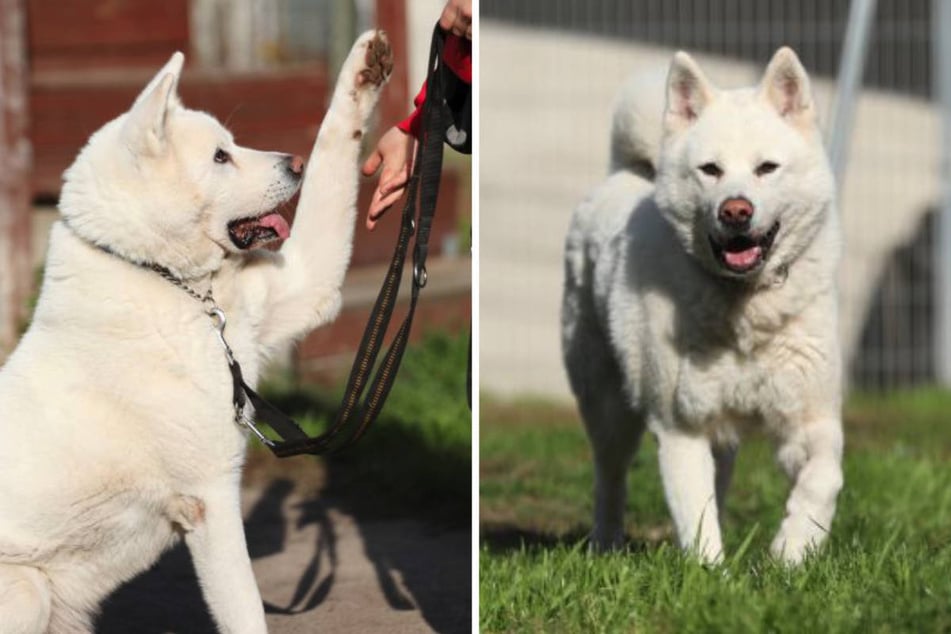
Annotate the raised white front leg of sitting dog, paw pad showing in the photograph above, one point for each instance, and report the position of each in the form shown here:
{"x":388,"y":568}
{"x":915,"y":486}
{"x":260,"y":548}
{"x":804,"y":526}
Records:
{"x":304,"y":289}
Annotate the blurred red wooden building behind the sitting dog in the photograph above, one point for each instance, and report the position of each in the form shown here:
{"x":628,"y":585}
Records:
{"x":266,"y":68}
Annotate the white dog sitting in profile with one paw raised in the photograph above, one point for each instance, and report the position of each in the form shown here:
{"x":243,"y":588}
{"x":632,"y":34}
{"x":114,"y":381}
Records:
{"x":120,"y":435}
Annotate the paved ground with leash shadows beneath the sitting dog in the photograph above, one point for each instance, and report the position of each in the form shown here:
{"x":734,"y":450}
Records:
{"x":321,"y":566}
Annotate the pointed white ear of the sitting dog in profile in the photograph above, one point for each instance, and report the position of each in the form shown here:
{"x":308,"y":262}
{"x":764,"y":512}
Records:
{"x":145,"y":126}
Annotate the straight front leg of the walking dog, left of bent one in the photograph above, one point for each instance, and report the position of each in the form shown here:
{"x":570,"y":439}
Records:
{"x":687,"y":470}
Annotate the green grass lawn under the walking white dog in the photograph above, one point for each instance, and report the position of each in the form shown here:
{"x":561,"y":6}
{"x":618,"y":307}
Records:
{"x":885,"y":568}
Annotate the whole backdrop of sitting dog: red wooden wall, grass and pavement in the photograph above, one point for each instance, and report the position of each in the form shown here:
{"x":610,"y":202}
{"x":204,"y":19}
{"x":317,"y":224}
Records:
{"x":376,"y":539}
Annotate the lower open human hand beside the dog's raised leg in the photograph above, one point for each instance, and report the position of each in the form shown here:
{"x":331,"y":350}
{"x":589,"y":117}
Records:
{"x":394,"y":151}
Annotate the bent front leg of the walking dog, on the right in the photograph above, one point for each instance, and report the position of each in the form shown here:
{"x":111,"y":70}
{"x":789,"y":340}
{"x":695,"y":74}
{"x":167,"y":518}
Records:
{"x":812,"y":457}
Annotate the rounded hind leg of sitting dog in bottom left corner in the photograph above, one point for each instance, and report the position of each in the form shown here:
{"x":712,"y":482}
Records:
{"x":25,"y":600}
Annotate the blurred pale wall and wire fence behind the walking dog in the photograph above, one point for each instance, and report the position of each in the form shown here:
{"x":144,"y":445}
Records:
{"x":550,"y":73}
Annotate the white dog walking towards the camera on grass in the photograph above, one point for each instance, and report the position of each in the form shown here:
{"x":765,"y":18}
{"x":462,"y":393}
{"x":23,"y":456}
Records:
{"x":707,"y":298}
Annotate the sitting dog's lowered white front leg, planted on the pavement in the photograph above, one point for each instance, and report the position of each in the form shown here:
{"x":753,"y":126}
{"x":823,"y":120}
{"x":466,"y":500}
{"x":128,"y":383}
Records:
{"x":214,"y":533}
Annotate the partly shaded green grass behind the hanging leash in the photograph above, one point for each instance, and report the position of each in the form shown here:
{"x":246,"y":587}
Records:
{"x":416,"y":458}
